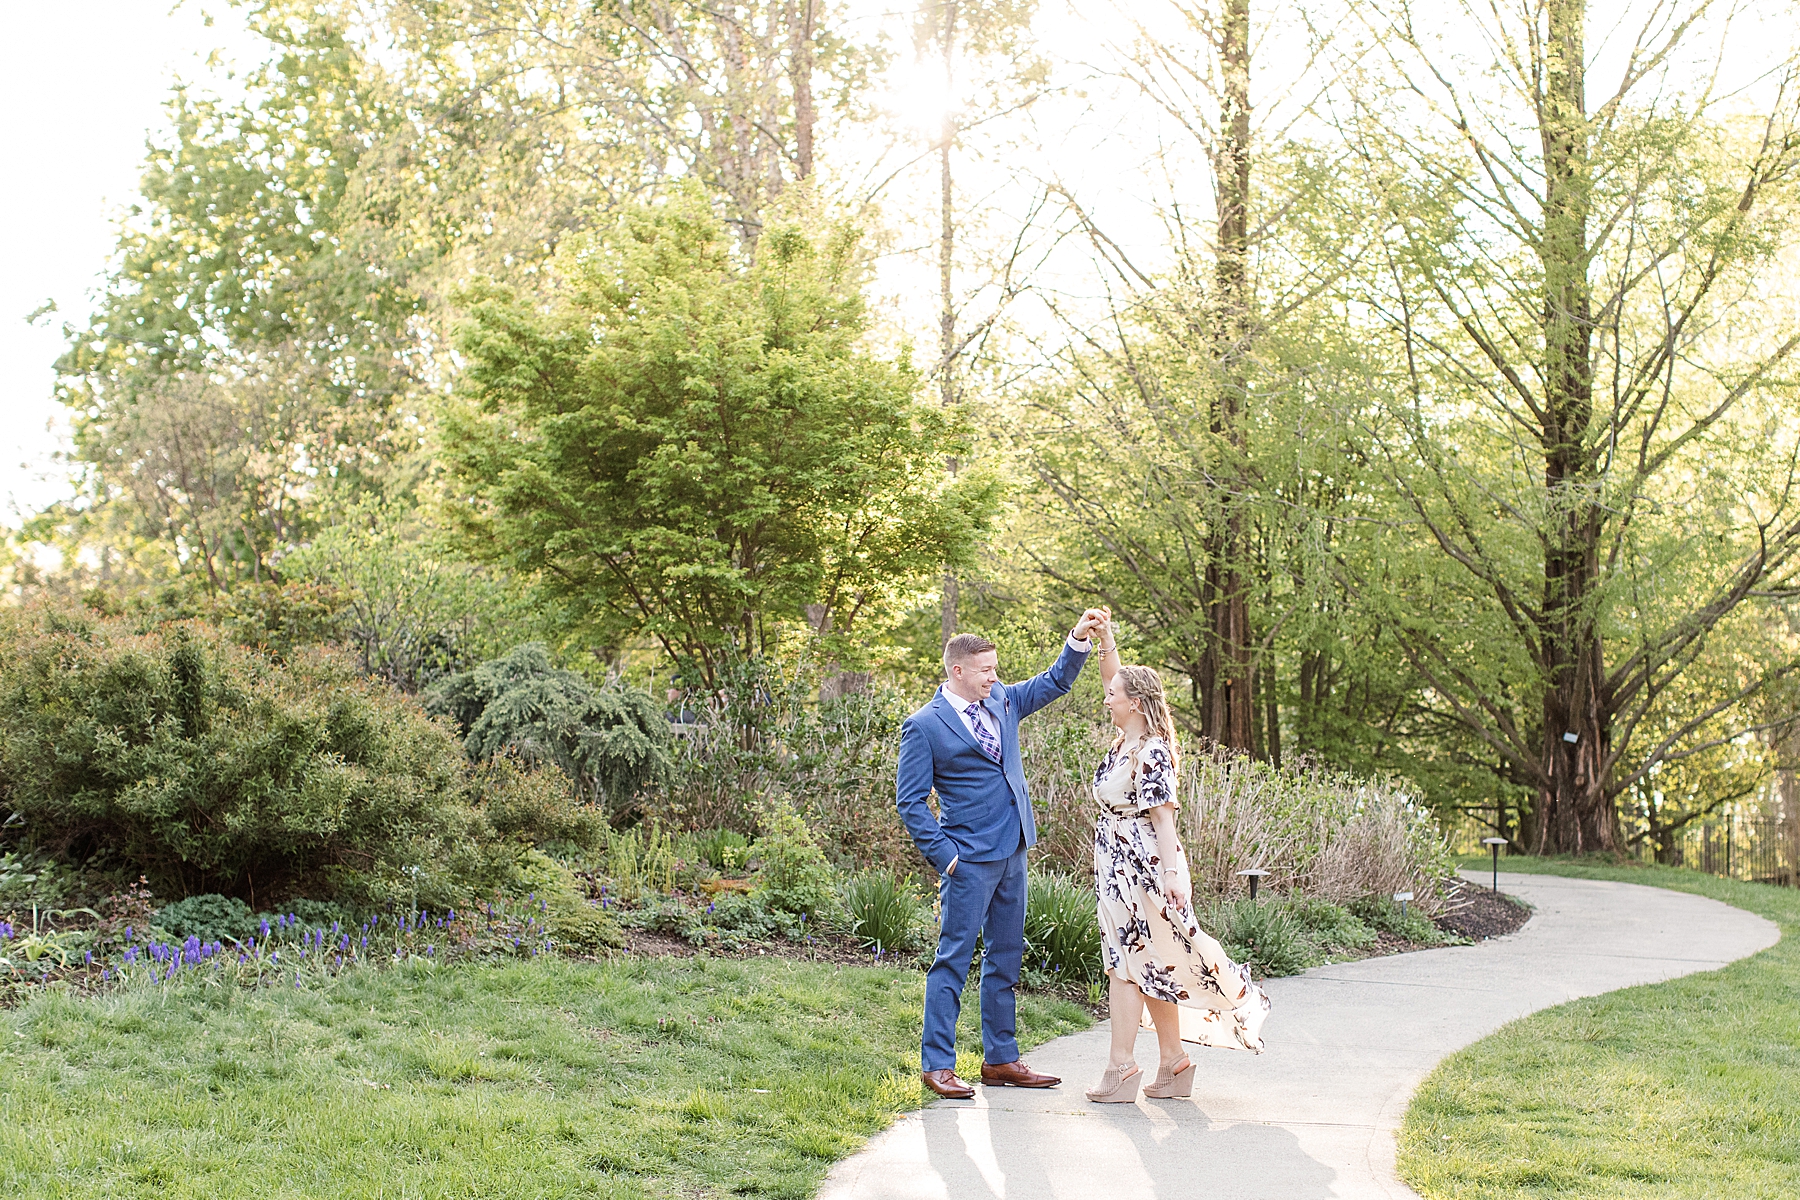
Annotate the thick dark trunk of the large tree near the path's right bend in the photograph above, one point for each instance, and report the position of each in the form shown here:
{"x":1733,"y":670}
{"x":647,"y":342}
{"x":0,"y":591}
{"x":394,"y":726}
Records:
{"x":1574,"y":809}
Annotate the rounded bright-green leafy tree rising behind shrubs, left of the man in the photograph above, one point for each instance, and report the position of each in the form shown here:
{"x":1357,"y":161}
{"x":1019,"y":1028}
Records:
{"x":697,"y":451}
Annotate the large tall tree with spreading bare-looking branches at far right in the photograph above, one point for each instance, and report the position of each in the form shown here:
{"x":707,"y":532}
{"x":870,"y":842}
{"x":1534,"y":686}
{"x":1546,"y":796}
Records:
{"x":1594,"y":422}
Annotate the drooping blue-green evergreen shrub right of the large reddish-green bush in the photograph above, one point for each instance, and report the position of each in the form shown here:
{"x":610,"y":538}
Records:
{"x":613,"y":742}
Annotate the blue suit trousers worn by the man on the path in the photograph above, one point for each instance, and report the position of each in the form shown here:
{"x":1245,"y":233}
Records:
{"x":984,"y":899}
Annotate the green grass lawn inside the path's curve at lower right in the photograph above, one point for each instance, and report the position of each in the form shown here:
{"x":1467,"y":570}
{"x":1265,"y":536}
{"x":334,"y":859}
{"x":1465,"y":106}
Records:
{"x":1678,"y":1089}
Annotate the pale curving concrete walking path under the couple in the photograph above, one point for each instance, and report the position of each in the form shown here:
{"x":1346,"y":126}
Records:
{"x":1315,"y":1116}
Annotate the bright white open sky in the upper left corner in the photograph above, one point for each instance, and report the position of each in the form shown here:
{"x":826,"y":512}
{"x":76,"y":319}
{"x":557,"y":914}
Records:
{"x":85,"y":84}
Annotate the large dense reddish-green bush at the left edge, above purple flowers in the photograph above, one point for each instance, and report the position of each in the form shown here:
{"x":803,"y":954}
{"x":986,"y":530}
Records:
{"x":213,"y":769}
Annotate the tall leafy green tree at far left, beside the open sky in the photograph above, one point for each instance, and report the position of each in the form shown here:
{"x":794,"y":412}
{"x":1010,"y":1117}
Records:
{"x":256,"y":339}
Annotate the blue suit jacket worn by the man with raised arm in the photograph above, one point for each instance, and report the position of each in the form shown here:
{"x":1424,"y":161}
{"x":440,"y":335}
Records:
{"x":982,"y":805}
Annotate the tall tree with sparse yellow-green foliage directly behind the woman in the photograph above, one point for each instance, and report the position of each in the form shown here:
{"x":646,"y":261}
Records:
{"x":1205,"y":357}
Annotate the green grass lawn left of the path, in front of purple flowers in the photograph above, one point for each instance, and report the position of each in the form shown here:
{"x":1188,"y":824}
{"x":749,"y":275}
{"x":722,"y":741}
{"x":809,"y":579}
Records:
{"x":543,"y":1079}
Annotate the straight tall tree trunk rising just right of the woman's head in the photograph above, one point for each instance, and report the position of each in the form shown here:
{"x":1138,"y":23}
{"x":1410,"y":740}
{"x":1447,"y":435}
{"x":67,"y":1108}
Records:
{"x":1228,"y":699}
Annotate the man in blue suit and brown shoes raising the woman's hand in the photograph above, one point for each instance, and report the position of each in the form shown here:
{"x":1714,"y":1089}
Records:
{"x":966,"y":746}
